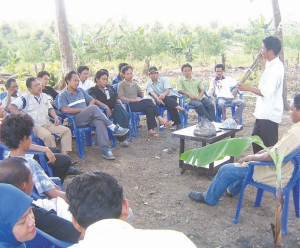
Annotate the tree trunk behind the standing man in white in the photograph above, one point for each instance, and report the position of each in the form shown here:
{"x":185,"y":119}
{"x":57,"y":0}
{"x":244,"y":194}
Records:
{"x":278,"y":30}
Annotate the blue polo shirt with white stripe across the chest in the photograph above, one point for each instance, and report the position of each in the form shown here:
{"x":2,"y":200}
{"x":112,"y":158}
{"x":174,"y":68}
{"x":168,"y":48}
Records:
{"x":79,"y":100}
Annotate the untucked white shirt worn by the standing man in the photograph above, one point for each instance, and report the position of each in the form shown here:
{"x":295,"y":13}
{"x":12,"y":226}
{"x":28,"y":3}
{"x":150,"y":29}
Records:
{"x":270,"y":105}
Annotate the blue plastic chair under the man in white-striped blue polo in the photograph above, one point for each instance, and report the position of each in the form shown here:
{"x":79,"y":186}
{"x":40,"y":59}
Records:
{"x":82,"y":132}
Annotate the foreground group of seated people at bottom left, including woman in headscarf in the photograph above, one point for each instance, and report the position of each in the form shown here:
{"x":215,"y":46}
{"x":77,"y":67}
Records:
{"x":92,"y":206}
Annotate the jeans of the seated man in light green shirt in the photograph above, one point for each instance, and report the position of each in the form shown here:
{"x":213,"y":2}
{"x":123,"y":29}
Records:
{"x":204,"y":108}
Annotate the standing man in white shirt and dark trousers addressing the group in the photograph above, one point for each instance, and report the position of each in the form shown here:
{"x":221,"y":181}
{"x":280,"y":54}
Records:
{"x":269,"y":105}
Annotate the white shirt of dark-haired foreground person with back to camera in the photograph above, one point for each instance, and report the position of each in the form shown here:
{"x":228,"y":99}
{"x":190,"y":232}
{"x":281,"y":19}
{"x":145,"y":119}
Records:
{"x":115,"y":233}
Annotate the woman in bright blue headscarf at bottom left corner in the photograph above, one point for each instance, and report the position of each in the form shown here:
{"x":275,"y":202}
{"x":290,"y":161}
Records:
{"x":16,"y":218}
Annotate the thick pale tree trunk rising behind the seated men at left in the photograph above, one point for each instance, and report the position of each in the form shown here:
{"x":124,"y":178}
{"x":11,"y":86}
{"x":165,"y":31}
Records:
{"x":64,"y":41}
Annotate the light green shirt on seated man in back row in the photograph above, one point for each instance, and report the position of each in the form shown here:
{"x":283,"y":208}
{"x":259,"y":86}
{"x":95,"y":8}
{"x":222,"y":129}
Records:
{"x":193,"y":86}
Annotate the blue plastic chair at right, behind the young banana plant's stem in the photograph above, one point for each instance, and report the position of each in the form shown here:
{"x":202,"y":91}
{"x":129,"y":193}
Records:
{"x":293,"y":184}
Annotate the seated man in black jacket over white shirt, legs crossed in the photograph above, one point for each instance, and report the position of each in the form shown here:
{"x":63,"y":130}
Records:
{"x":106,"y":96}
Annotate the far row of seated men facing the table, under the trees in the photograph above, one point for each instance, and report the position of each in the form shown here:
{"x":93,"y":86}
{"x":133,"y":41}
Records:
{"x":81,"y":99}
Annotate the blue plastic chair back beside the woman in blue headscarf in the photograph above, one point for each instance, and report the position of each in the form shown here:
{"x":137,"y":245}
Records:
{"x":46,"y":241}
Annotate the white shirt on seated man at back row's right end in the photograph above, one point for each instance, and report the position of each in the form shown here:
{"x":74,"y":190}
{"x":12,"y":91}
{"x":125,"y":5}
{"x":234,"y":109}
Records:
{"x":222,"y":87}
